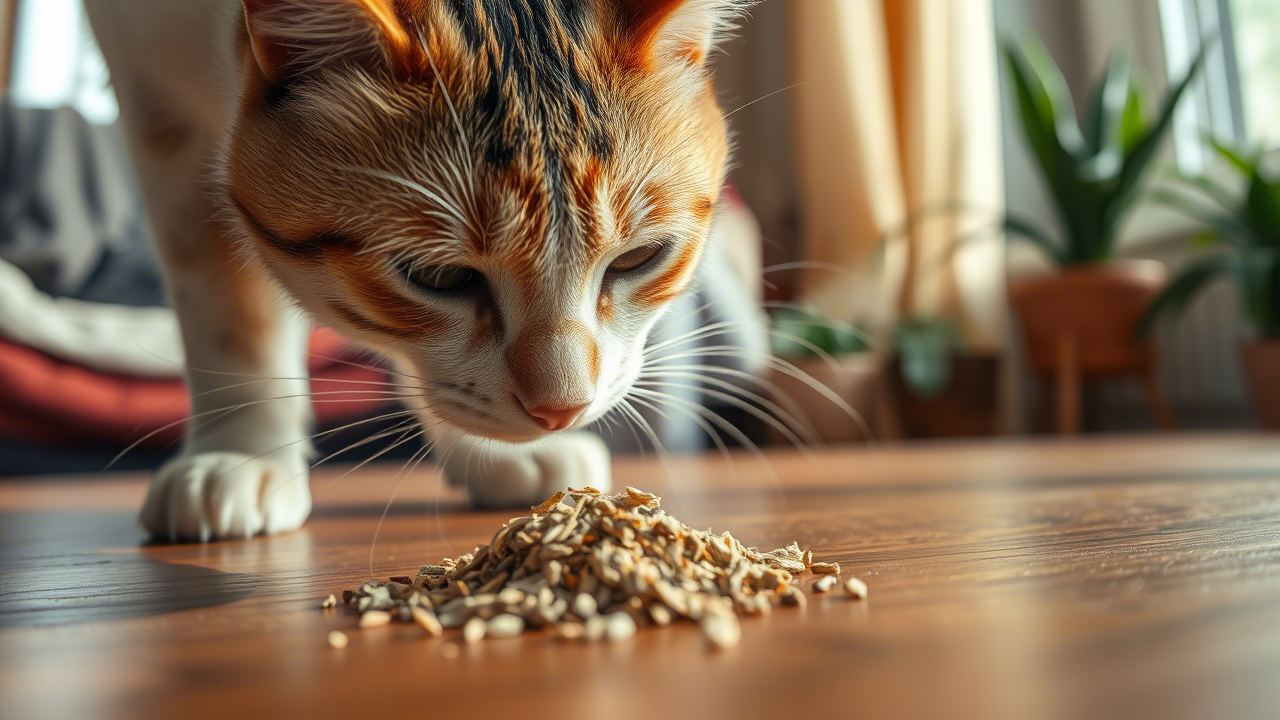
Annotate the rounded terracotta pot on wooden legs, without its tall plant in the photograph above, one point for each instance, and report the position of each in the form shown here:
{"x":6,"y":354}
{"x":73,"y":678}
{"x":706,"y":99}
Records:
{"x":1090,"y":312}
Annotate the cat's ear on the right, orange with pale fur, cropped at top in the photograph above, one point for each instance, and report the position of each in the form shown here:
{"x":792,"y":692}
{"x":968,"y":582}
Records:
{"x":678,"y":31}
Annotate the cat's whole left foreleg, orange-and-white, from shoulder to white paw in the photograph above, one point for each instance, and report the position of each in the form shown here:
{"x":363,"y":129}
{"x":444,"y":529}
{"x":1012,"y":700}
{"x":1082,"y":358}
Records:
{"x":244,"y":467}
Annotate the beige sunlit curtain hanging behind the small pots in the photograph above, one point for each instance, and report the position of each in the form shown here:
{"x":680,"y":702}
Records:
{"x":899,"y":113}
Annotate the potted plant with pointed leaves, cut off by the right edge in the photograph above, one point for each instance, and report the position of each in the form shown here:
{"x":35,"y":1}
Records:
{"x":1245,"y":230}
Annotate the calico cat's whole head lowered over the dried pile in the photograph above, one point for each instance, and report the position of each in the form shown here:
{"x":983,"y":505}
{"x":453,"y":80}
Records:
{"x":504,"y":195}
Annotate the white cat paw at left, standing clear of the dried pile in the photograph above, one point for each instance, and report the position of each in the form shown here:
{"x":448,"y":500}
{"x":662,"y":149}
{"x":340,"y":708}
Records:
{"x":226,"y":495}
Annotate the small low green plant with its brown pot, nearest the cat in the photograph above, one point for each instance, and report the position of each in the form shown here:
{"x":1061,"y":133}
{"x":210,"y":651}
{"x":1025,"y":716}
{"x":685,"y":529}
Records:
{"x":835,"y":356}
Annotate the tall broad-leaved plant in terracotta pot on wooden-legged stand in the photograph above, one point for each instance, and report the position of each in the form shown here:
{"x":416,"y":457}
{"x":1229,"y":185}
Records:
{"x":1081,"y":320}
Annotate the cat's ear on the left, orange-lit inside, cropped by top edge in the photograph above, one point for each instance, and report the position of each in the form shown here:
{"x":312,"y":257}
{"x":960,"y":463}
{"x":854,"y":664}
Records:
{"x":291,"y":38}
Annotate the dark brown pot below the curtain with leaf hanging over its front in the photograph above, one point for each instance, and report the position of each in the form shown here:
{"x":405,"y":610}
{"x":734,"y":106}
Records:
{"x":968,"y":408}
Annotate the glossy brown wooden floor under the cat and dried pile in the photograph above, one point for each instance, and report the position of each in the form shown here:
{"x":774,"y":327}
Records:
{"x":1118,"y":578}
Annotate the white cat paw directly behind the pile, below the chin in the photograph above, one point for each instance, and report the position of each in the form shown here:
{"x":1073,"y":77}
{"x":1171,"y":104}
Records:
{"x":520,"y":476}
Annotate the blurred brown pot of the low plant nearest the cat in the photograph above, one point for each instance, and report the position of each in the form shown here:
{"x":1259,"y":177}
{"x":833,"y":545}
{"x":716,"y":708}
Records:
{"x":856,"y":380}
